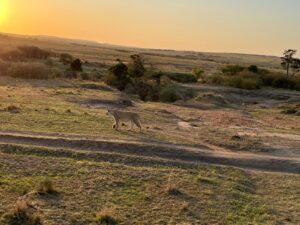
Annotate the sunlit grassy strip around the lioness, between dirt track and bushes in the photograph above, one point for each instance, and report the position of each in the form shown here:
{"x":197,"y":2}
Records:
{"x":44,"y":108}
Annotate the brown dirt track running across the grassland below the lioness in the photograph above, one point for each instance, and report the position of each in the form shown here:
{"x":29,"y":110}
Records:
{"x":182,"y":153}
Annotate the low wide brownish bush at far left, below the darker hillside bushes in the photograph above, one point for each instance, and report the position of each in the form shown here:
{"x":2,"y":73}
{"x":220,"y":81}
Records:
{"x":30,"y":71}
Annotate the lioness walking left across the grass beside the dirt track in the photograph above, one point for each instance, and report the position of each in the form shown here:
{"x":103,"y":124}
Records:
{"x":119,"y":116}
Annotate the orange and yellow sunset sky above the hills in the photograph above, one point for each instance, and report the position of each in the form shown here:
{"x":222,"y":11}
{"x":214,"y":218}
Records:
{"x":244,"y":26}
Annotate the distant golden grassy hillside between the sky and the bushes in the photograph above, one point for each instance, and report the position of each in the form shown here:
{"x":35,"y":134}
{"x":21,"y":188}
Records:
{"x":168,"y":60}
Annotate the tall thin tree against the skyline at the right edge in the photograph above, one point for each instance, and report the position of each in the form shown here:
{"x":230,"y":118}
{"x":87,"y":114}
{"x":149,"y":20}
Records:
{"x":289,"y":62}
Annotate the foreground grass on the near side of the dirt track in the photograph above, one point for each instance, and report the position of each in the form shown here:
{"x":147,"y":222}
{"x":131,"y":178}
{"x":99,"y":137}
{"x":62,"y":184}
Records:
{"x":137,"y":195}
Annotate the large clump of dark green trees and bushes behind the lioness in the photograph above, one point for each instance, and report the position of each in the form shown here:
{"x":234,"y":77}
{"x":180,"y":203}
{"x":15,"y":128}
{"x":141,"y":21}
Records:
{"x":148,"y":84}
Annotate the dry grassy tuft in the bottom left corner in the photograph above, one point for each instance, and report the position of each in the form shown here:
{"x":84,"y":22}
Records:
{"x":23,"y":214}
